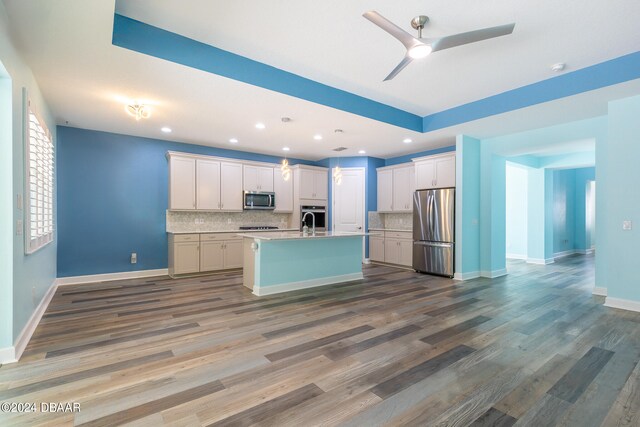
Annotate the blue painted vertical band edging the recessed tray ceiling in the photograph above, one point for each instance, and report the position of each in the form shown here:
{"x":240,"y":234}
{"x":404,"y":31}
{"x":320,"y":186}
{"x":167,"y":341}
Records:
{"x":144,"y":38}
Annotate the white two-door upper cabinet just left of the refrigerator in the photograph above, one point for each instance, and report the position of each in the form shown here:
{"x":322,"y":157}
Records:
{"x":395,"y":188}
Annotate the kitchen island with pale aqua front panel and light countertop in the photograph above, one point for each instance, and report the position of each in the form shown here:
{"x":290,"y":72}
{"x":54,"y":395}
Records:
{"x":283,"y":262}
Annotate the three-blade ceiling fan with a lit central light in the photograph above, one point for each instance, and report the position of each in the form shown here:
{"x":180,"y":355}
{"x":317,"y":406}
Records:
{"x":418,"y":48}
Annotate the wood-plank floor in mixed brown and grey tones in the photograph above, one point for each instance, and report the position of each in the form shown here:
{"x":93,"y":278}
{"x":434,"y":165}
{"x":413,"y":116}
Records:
{"x":533,"y":348}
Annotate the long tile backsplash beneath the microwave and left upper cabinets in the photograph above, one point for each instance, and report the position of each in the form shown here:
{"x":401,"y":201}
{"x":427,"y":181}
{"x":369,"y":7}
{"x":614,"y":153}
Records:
{"x":199,"y":222}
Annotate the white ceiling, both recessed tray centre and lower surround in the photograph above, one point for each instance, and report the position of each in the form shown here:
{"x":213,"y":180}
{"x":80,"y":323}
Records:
{"x":85,"y":79}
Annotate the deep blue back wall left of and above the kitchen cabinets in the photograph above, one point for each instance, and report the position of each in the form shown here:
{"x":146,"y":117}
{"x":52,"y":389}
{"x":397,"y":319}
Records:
{"x":112,"y":198}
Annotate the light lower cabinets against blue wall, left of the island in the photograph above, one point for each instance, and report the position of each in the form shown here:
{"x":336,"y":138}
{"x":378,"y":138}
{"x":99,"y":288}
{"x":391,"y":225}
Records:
{"x":199,"y":253}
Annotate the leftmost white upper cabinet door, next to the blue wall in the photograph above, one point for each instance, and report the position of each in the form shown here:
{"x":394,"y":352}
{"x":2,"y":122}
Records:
{"x":182,"y":183}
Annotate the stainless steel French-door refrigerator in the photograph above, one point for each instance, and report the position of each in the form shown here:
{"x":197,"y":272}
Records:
{"x":433,"y":231}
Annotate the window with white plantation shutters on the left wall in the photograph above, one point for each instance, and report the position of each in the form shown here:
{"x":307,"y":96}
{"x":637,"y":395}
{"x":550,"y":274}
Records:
{"x":39,"y":150}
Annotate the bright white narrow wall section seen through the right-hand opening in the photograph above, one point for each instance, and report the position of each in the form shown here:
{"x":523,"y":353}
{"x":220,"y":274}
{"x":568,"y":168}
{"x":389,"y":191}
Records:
{"x":516,"y":211}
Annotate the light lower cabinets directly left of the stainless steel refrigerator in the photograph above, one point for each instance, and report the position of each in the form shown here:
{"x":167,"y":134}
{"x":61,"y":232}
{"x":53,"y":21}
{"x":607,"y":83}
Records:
{"x":392,"y":247}
